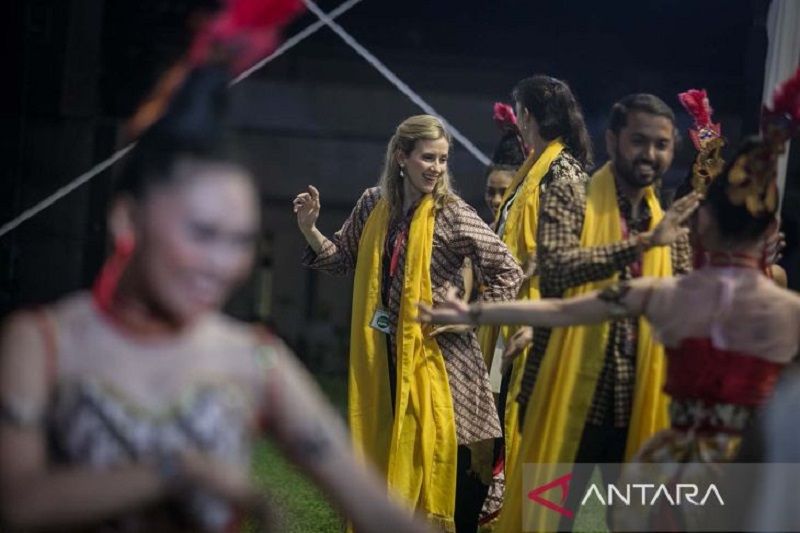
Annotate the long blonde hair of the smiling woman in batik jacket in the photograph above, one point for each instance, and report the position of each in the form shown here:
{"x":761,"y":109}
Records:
{"x":411,"y":130}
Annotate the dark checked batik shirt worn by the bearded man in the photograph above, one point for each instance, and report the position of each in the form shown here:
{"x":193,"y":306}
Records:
{"x":564,"y":264}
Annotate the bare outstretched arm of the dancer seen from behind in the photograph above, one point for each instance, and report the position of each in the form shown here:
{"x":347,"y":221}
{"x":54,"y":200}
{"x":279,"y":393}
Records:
{"x":617,"y":301}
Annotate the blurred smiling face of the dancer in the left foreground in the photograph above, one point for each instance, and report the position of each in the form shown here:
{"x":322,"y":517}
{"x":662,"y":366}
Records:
{"x":195,"y":239}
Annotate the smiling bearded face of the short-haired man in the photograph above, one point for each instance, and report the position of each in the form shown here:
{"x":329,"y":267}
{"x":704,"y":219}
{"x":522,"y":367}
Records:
{"x":643,"y":150}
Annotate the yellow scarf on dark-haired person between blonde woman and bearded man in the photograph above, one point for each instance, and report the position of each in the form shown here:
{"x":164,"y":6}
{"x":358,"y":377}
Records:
{"x":519,"y":235}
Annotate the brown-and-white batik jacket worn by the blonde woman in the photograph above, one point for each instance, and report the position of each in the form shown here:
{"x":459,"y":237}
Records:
{"x":459,"y":233}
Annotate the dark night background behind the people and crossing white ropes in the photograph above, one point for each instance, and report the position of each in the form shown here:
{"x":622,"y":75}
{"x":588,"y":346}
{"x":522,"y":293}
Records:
{"x":320,"y":114}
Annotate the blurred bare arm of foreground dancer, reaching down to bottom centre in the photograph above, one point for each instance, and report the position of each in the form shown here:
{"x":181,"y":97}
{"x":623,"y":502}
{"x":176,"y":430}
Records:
{"x":313,"y":436}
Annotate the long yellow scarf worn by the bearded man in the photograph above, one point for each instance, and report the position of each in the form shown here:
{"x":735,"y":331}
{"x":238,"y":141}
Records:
{"x":565,"y":385}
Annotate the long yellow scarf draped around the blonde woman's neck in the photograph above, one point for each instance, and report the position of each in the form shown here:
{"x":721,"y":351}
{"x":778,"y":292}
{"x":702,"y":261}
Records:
{"x":416,"y":448}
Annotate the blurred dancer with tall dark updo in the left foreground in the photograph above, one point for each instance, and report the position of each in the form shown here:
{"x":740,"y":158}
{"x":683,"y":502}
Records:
{"x":134,"y":407}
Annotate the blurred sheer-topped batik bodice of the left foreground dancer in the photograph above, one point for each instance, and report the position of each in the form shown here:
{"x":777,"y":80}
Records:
{"x":98,"y":418}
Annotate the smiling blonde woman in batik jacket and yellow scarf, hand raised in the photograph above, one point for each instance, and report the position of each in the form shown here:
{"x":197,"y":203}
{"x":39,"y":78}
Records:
{"x":420,"y":404}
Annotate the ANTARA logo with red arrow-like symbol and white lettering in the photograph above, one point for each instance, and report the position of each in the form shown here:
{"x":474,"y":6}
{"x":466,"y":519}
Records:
{"x":649,"y":494}
